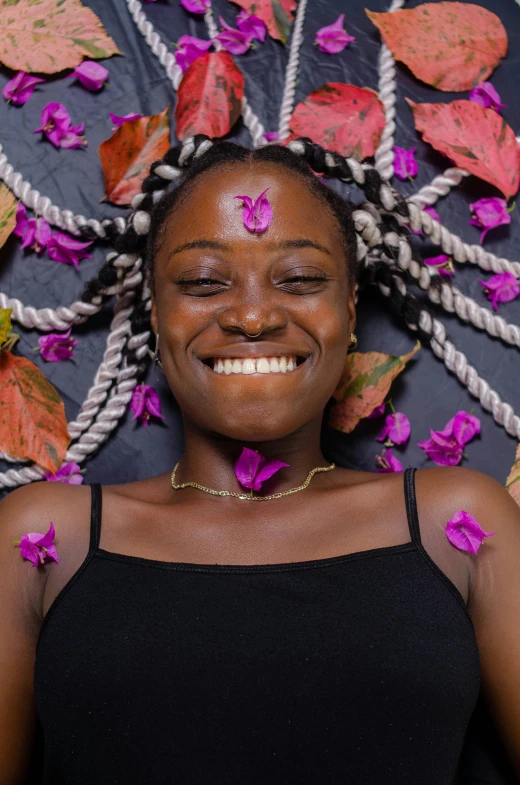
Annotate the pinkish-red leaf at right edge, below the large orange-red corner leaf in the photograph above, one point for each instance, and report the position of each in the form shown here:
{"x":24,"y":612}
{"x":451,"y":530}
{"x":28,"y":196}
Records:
{"x":475,"y":138}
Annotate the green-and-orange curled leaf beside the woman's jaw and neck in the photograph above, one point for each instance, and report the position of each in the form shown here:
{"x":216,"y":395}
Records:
{"x":364,"y":385}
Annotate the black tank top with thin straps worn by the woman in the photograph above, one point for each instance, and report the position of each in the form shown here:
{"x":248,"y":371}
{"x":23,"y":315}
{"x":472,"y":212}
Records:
{"x":361,"y":669}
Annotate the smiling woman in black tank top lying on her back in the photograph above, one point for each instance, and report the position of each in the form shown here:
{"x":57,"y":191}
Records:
{"x":330,"y":633}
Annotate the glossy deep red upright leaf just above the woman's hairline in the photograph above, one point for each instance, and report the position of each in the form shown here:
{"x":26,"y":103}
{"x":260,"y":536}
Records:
{"x":209,"y":98}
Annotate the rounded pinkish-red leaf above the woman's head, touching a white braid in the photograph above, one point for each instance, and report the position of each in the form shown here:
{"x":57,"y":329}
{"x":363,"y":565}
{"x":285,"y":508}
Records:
{"x":341,"y":117}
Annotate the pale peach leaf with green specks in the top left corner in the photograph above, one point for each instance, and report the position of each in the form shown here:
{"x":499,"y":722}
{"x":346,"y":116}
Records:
{"x":47,"y":36}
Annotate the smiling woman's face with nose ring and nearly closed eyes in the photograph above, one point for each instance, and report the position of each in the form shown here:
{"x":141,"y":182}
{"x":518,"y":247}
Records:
{"x":215,"y":281}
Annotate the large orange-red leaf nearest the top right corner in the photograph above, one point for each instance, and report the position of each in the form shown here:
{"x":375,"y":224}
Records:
{"x":451,"y":46}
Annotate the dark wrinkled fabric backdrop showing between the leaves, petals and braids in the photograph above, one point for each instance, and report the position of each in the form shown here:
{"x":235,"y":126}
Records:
{"x":426,"y":392}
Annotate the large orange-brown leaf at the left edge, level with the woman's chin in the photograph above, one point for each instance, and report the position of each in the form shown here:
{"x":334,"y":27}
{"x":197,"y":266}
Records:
{"x":33,"y":425}
